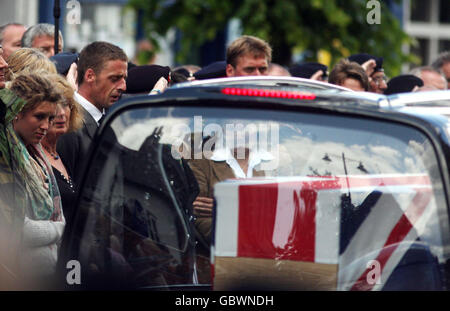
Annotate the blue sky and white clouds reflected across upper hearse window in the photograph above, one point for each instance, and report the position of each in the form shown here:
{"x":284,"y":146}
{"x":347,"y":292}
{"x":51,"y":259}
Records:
{"x":320,"y":149}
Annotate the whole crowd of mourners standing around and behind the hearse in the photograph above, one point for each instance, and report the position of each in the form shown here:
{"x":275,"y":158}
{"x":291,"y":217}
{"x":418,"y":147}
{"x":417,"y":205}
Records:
{"x":52,"y":104}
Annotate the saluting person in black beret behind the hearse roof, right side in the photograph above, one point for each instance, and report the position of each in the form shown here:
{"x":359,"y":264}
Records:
{"x":374,"y":68}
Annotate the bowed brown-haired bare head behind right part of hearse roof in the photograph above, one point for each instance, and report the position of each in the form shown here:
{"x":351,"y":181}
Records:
{"x":350,"y":75}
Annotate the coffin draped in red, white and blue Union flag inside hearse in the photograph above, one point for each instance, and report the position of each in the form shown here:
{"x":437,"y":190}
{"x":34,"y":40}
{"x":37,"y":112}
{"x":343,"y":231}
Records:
{"x":324,"y":233}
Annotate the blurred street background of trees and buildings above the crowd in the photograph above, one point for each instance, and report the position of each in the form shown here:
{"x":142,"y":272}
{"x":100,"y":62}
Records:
{"x":410,"y":33}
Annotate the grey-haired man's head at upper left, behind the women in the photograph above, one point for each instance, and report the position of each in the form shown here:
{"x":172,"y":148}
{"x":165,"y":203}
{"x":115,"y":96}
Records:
{"x":41,"y":36}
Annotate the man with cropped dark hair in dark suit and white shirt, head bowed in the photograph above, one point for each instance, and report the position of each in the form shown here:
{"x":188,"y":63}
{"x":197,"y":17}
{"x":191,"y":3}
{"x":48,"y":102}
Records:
{"x":101,"y":75}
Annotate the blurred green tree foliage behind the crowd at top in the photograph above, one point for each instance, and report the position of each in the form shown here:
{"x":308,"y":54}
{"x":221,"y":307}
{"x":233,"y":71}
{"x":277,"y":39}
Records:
{"x":339,"y":27}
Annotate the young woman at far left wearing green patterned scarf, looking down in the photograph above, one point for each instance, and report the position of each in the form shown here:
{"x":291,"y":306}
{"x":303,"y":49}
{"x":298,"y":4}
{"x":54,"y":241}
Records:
{"x":31,"y":218}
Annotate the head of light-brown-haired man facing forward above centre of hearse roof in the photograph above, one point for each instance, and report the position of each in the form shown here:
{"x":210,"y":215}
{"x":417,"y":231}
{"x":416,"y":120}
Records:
{"x":248,"y":56}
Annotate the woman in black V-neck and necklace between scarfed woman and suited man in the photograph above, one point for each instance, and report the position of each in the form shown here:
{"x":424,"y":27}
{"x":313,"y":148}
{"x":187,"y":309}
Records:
{"x":68,"y":119}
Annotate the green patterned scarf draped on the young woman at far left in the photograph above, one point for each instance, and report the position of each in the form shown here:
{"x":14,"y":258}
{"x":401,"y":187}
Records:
{"x":27,"y":184}
